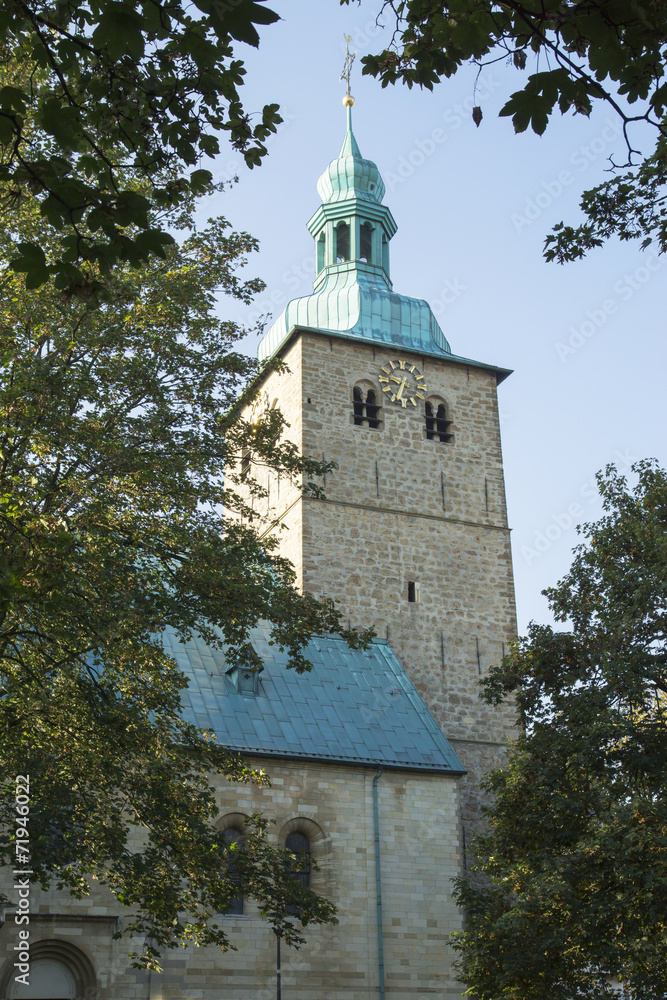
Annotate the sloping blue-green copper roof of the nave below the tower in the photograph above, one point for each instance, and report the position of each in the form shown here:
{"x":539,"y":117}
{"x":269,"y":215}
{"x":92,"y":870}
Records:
{"x":355,"y":706}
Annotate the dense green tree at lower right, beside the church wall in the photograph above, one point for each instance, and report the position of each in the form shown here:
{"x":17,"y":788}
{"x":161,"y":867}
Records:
{"x":570,"y":888}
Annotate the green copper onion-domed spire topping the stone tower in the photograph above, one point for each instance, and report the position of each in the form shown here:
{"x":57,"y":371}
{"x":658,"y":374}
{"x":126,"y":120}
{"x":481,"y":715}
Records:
{"x":352,"y":292}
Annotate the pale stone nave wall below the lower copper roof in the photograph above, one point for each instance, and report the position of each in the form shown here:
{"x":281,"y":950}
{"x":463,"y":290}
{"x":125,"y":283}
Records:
{"x":333,"y":805}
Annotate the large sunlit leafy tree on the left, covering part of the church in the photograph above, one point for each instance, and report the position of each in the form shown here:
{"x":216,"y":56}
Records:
{"x":120,"y":437}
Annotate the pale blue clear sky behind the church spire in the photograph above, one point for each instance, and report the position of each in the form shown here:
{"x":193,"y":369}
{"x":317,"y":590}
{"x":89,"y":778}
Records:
{"x":586,"y":341}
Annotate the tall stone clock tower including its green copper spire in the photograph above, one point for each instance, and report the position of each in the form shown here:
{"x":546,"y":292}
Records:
{"x":412,"y":537}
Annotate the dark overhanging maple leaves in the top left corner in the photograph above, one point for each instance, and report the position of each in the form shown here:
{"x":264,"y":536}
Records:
{"x":95,"y":91}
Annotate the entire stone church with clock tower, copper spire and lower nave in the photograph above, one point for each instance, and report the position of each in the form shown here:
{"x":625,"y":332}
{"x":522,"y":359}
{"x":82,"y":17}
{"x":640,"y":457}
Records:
{"x":410,"y":537}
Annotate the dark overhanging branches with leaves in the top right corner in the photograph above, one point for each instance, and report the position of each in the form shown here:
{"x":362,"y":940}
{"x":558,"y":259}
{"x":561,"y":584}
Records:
{"x":582,"y":53}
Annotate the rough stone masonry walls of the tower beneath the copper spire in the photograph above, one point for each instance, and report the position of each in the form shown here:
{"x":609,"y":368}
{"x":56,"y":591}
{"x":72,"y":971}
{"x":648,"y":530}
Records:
{"x":399,"y":509}
